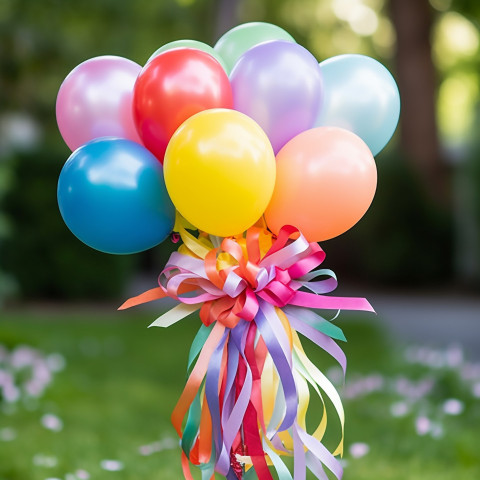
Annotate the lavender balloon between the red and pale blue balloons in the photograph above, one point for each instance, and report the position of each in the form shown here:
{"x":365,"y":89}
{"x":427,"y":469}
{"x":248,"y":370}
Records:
{"x":279,"y":85}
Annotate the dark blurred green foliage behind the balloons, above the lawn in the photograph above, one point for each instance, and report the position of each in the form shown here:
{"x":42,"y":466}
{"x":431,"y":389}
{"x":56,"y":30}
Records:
{"x":413,"y":221}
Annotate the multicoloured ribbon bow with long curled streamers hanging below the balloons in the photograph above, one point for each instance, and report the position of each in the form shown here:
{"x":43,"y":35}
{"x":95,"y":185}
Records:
{"x":247,"y":394}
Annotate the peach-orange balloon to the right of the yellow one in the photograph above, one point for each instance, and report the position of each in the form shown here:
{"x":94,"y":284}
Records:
{"x":326,"y":180}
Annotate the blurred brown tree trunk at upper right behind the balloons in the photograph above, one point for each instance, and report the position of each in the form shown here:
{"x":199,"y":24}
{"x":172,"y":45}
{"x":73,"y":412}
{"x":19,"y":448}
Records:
{"x":417,"y":82}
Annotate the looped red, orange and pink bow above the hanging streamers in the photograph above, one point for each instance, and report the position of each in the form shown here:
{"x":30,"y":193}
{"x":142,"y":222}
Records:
{"x":230,"y":294}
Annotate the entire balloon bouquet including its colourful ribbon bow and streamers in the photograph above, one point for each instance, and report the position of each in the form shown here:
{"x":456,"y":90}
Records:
{"x":265,"y":152}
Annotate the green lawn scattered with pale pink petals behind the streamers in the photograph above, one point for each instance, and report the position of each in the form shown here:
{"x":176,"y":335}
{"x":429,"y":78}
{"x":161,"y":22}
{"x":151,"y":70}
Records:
{"x":412,"y":412}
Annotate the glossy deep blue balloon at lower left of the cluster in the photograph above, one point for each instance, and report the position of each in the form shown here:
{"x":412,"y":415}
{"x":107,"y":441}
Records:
{"x":112,"y":196}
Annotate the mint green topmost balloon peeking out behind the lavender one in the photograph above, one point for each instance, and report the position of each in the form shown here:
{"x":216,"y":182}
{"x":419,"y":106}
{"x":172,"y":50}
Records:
{"x":234,"y":43}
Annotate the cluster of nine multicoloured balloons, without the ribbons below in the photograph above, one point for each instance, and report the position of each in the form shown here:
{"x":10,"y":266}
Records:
{"x":253,"y":131}
